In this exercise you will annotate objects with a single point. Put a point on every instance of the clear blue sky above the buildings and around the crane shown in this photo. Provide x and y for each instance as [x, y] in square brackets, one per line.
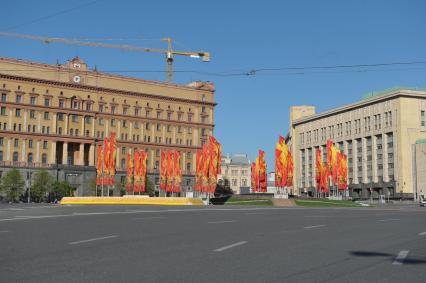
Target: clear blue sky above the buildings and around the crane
[241, 35]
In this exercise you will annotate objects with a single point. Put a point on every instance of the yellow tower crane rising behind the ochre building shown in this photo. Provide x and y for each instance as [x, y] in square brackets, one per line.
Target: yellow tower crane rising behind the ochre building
[205, 56]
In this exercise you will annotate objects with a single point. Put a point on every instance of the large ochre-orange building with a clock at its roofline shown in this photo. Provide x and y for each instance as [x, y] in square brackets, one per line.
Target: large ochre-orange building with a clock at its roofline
[54, 116]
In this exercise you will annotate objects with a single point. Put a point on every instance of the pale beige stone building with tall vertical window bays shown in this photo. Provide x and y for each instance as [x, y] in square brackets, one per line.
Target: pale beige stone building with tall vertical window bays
[380, 134]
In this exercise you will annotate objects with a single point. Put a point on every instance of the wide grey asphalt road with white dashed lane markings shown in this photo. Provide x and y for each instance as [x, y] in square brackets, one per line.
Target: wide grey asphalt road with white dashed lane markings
[43, 243]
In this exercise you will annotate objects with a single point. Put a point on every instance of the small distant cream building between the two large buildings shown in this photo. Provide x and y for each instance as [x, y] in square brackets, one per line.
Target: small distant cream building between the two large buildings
[236, 169]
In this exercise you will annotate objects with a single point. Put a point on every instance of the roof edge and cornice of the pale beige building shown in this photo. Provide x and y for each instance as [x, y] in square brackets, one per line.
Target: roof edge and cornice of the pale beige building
[370, 98]
